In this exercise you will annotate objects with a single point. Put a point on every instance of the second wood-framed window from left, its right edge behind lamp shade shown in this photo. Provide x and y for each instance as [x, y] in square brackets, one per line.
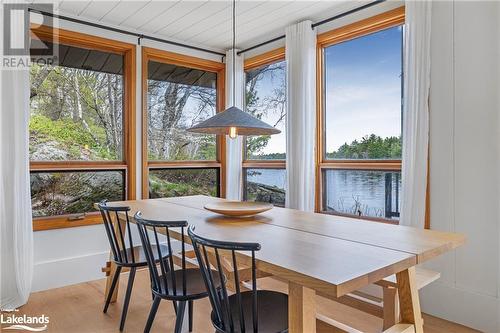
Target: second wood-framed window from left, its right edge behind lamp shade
[180, 91]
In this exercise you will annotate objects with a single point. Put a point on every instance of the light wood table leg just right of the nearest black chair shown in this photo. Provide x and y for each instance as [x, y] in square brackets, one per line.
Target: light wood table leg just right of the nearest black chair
[301, 309]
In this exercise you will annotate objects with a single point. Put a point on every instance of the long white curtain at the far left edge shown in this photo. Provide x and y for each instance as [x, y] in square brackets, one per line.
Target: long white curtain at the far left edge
[16, 232]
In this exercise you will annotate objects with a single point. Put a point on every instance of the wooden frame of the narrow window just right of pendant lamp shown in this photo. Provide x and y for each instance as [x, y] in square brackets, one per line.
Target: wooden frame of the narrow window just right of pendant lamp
[251, 63]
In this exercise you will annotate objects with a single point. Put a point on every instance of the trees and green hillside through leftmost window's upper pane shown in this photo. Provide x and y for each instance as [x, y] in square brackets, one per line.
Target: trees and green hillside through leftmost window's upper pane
[81, 112]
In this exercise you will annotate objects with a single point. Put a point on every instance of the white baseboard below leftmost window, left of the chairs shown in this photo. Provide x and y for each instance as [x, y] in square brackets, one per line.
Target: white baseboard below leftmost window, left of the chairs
[67, 271]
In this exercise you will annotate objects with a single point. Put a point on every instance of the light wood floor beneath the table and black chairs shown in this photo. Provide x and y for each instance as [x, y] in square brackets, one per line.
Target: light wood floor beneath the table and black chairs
[78, 309]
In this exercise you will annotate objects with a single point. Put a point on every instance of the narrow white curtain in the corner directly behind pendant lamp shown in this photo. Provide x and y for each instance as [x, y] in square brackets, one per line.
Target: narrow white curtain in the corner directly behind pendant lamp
[234, 147]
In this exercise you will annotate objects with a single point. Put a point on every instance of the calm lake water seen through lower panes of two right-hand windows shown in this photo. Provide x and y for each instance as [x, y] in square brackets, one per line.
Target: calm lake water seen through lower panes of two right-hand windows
[347, 191]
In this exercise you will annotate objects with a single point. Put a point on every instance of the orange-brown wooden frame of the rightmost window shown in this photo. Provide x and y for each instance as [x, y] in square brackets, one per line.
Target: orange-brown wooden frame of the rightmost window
[361, 28]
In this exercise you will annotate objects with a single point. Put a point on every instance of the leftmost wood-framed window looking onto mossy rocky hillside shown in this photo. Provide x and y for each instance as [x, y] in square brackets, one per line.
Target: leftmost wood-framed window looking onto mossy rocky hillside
[80, 113]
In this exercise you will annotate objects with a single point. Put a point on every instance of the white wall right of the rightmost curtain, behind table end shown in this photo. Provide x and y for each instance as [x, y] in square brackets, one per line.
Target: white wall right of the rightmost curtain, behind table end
[464, 166]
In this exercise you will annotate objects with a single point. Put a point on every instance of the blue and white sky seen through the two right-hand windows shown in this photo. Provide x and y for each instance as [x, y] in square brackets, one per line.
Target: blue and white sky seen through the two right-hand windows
[363, 90]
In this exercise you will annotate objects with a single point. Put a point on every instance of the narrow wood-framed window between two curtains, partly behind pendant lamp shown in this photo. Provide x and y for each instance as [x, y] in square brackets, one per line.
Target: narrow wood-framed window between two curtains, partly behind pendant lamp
[264, 156]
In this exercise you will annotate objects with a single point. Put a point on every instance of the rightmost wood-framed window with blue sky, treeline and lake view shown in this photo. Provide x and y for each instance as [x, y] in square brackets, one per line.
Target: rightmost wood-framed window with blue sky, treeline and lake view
[361, 118]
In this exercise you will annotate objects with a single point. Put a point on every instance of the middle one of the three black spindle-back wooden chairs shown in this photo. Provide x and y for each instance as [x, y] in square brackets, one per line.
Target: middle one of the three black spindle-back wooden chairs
[183, 285]
